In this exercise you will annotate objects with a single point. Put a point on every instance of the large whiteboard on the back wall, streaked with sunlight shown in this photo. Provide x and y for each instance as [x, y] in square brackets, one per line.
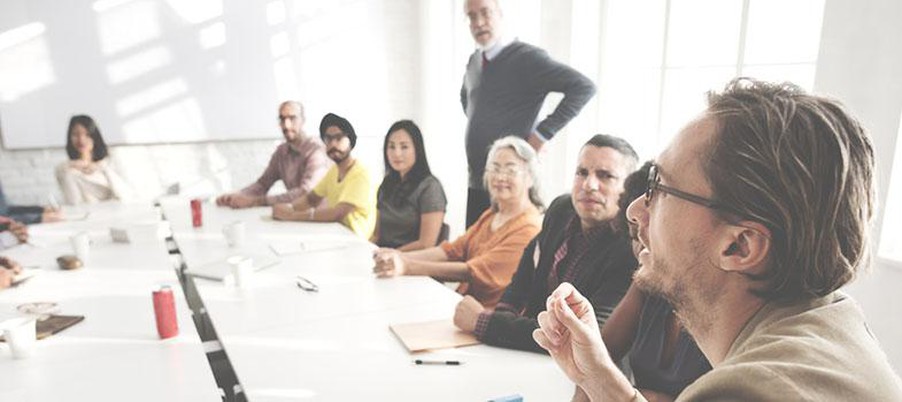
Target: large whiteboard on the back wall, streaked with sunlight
[164, 71]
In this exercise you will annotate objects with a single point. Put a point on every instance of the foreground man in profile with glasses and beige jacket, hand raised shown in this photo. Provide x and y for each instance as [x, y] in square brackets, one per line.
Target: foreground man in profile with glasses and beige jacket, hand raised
[755, 216]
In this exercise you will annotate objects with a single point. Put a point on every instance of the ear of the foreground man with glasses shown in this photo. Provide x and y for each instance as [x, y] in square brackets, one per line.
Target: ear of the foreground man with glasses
[745, 247]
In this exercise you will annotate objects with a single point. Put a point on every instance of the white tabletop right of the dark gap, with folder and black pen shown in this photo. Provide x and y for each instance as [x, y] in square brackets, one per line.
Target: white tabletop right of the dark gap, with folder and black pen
[285, 343]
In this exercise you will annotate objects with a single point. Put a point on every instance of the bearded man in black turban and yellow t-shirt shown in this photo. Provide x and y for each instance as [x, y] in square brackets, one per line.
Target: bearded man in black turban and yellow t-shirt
[345, 188]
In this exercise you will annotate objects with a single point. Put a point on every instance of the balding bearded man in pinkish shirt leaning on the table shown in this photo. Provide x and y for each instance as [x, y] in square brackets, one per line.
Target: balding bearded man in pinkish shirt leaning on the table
[300, 162]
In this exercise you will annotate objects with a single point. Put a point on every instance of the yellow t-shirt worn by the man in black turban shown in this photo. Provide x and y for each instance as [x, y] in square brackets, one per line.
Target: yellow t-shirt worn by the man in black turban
[355, 190]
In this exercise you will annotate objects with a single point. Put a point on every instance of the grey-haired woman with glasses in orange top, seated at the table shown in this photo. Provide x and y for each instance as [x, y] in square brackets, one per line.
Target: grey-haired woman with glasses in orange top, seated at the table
[484, 259]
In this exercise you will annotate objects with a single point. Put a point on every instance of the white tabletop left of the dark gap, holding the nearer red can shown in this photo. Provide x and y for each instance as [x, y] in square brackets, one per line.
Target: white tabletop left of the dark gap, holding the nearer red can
[115, 354]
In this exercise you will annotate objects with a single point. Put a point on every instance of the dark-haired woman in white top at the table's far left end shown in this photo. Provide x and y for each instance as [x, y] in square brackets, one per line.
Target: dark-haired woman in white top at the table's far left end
[88, 177]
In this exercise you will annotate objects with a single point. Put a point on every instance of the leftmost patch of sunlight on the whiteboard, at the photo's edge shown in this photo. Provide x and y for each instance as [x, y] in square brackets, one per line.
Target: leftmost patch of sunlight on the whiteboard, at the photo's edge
[25, 64]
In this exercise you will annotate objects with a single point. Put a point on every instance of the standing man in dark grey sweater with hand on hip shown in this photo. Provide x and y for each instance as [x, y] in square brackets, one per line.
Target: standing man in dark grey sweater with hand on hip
[503, 90]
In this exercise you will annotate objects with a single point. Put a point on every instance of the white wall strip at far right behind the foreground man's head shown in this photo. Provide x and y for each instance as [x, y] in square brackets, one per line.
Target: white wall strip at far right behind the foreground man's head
[860, 63]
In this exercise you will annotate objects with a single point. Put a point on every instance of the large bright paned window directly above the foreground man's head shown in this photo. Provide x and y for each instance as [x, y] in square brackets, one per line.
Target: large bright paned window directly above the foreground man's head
[653, 83]
